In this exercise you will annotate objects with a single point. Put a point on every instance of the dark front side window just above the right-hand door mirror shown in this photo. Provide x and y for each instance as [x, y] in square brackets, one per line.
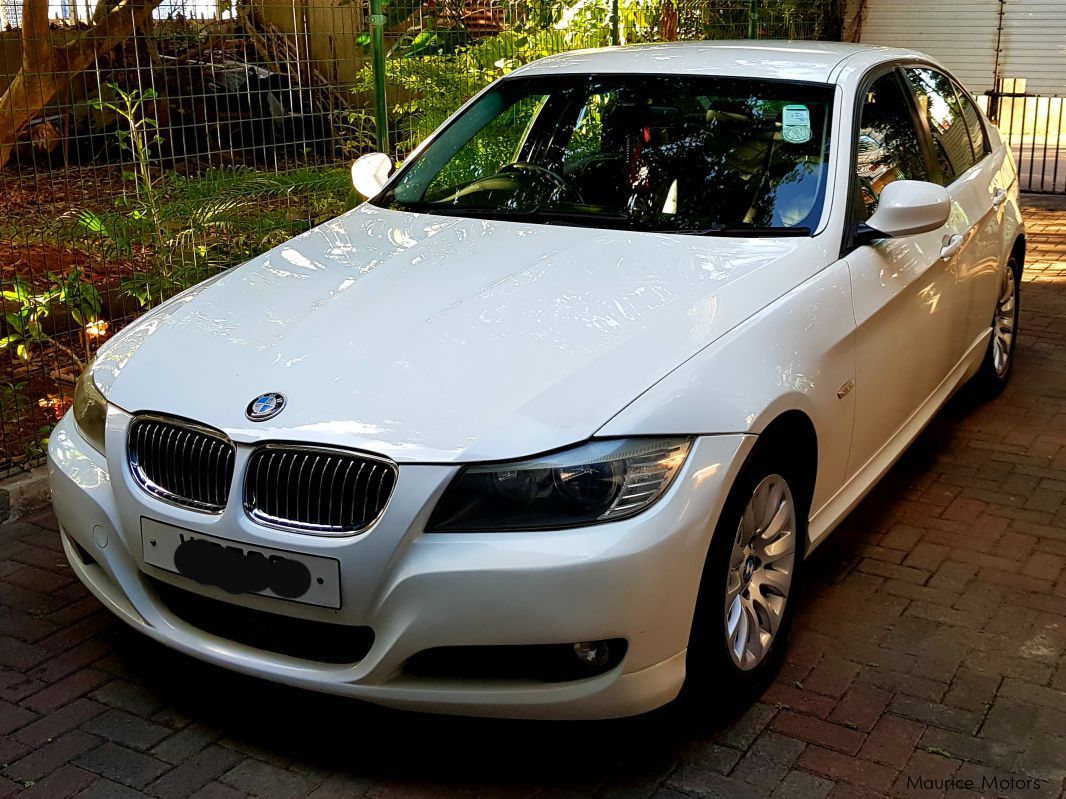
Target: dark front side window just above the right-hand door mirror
[889, 148]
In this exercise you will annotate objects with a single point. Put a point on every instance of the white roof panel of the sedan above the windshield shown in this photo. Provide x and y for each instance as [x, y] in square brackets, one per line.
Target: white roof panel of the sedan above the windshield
[801, 61]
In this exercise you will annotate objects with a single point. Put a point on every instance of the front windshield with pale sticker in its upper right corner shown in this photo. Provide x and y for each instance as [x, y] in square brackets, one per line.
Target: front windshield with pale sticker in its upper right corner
[671, 154]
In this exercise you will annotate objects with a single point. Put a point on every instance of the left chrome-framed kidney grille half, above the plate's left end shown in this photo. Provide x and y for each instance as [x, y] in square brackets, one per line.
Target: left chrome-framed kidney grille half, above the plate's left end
[182, 463]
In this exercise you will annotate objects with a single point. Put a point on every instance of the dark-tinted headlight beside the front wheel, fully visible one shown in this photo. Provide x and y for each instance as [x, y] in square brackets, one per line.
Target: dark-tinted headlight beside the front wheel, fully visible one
[599, 482]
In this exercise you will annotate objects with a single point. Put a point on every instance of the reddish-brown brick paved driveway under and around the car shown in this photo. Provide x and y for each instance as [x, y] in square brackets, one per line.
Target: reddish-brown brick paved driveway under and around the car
[931, 644]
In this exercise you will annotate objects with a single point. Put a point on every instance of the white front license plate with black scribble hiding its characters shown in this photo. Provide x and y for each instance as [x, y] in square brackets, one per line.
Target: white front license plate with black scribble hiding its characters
[240, 568]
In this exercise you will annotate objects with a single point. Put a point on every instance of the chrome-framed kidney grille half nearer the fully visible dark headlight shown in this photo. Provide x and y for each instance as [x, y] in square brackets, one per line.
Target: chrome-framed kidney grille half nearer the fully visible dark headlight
[317, 490]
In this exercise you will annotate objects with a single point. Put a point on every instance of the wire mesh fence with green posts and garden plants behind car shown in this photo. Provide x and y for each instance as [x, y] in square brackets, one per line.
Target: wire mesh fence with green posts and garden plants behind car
[149, 144]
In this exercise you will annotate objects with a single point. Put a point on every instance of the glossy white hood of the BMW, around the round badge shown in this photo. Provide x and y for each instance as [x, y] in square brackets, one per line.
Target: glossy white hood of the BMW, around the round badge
[437, 339]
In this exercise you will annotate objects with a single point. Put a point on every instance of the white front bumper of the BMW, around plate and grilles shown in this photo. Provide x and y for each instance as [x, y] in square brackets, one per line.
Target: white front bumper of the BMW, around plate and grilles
[635, 579]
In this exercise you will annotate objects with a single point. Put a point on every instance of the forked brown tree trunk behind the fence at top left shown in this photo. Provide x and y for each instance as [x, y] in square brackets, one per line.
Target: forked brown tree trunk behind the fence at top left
[47, 70]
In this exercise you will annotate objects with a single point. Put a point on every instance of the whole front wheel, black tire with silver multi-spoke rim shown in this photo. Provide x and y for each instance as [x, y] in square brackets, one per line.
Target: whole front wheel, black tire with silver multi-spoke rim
[720, 673]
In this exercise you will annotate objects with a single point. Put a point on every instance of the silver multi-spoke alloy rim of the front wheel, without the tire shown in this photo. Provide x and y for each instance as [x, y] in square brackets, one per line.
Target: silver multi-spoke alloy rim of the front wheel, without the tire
[762, 566]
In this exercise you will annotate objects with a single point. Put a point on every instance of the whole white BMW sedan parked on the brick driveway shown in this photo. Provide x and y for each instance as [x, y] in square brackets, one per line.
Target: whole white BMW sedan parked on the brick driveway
[547, 428]
